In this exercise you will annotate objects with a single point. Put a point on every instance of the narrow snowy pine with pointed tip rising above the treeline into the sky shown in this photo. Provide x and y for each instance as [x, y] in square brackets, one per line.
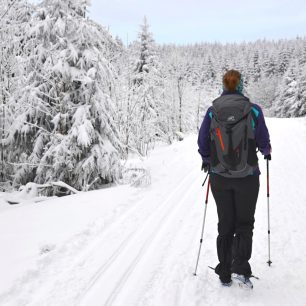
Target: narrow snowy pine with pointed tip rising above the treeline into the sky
[146, 93]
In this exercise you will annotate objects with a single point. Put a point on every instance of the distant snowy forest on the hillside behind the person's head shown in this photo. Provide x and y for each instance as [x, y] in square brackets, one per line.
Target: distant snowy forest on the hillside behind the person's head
[274, 72]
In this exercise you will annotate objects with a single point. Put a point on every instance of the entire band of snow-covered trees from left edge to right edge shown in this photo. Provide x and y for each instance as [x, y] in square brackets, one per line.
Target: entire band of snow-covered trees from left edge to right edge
[76, 102]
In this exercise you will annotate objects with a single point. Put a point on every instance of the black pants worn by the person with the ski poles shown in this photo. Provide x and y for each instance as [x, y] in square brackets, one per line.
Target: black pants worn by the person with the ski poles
[236, 202]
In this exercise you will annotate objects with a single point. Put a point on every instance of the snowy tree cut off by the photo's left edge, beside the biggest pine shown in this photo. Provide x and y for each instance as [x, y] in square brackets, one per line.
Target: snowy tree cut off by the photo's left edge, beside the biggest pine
[14, 24]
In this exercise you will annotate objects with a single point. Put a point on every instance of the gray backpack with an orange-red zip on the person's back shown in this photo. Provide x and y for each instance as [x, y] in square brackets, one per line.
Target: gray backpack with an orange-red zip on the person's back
[232, 134]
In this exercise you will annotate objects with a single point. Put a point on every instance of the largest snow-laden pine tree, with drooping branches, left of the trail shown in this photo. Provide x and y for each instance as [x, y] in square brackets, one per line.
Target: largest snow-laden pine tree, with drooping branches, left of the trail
[67, 130]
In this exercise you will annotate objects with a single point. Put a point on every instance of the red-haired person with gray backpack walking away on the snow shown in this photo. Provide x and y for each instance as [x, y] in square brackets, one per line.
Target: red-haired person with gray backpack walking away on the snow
[232, 163]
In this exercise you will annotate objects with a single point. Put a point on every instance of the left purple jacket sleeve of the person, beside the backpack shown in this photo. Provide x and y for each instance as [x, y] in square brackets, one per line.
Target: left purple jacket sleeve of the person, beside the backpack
[204, 137]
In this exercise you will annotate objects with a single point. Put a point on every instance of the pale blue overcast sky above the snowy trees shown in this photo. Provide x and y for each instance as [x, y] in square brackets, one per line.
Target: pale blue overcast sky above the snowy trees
[190, 21]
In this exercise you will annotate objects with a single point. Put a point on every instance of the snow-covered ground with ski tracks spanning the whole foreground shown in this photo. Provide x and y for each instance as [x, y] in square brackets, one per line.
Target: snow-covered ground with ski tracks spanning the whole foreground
[137, 246]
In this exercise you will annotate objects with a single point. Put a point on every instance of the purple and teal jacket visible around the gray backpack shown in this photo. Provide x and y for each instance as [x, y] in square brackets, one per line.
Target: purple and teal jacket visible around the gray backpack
[261, 133]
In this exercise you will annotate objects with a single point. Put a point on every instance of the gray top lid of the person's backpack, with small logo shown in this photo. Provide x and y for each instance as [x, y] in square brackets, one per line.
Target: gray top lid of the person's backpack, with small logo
[229, 109]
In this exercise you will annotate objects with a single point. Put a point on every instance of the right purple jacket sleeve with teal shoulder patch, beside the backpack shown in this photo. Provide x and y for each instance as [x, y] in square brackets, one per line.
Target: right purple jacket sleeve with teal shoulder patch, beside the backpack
[261, 133]
